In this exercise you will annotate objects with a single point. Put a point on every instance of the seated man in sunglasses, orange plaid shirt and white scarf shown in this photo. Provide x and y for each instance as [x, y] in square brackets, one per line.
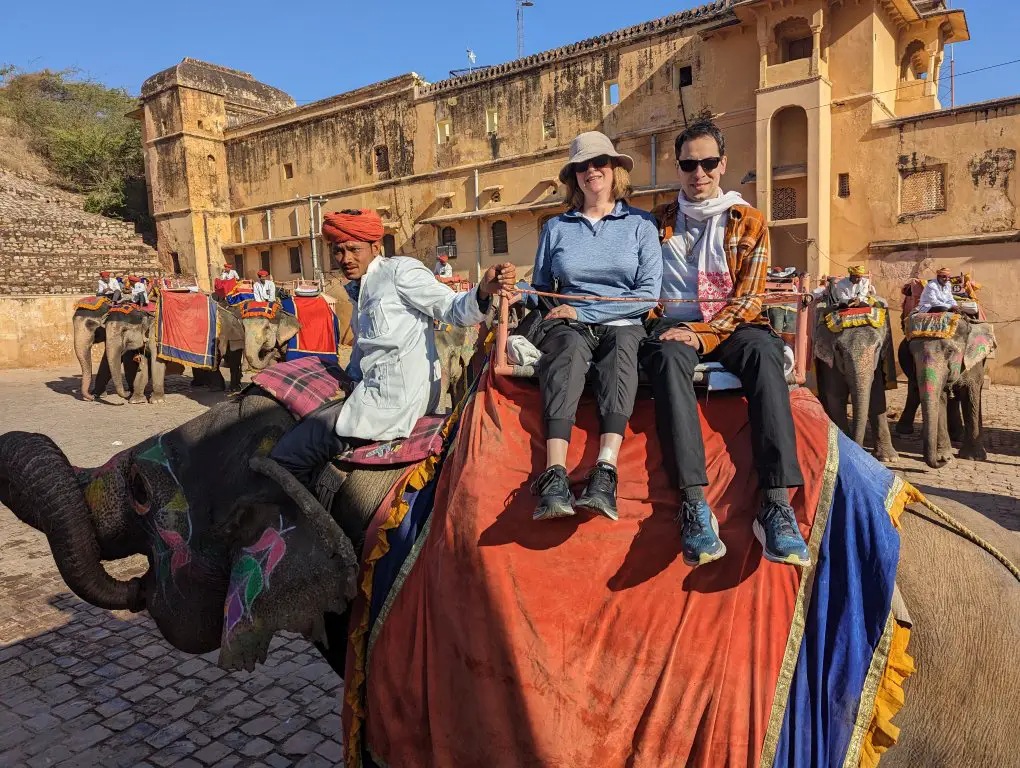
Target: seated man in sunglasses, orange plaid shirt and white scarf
[716, 251]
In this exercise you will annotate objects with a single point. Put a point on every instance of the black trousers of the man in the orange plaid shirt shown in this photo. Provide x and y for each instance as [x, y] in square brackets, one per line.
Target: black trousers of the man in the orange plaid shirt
[755, 356]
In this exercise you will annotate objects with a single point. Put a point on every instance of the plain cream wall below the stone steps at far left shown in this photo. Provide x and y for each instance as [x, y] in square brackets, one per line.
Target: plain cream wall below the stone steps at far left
[36, 332]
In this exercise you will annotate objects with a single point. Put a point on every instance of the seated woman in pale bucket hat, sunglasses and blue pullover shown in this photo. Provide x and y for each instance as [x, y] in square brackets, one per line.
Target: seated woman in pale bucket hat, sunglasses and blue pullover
[600, 247]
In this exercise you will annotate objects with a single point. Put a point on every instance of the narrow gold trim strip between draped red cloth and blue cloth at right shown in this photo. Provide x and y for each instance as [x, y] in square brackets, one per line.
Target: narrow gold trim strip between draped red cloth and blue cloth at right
[782, 697]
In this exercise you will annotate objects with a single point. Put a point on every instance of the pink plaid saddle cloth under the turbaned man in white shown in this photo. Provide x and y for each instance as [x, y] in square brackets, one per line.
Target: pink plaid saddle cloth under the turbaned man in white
[303, 385]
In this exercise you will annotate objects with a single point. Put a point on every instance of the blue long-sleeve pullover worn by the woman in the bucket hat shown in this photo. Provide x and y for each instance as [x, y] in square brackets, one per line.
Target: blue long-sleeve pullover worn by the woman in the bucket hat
[620, 255]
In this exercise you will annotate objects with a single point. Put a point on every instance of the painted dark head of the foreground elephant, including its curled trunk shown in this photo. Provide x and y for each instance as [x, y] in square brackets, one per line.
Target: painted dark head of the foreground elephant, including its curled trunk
[231, 561]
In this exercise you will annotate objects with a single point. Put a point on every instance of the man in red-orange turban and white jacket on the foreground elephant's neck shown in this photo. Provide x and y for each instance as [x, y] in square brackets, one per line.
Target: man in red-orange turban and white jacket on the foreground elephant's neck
[394, 367]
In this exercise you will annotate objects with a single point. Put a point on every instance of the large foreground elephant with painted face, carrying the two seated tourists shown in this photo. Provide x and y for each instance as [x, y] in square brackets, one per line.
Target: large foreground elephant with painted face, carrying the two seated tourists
[218, 533]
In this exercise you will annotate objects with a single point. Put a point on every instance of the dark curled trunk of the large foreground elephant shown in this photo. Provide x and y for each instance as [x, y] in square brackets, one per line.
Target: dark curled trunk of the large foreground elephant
[38, 484]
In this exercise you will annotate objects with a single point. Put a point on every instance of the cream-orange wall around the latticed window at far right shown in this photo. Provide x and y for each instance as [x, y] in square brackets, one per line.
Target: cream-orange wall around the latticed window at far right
[978, 150]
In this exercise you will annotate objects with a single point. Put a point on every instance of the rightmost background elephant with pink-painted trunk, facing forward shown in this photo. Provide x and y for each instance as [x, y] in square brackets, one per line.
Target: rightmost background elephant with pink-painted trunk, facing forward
[947, 377]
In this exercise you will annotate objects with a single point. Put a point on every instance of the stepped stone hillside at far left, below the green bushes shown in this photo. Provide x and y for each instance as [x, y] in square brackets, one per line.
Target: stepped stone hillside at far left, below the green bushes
[50, 245]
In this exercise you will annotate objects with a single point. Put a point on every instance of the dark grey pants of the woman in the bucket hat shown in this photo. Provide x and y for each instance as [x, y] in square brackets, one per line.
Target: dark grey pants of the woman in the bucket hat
[568, 349]
